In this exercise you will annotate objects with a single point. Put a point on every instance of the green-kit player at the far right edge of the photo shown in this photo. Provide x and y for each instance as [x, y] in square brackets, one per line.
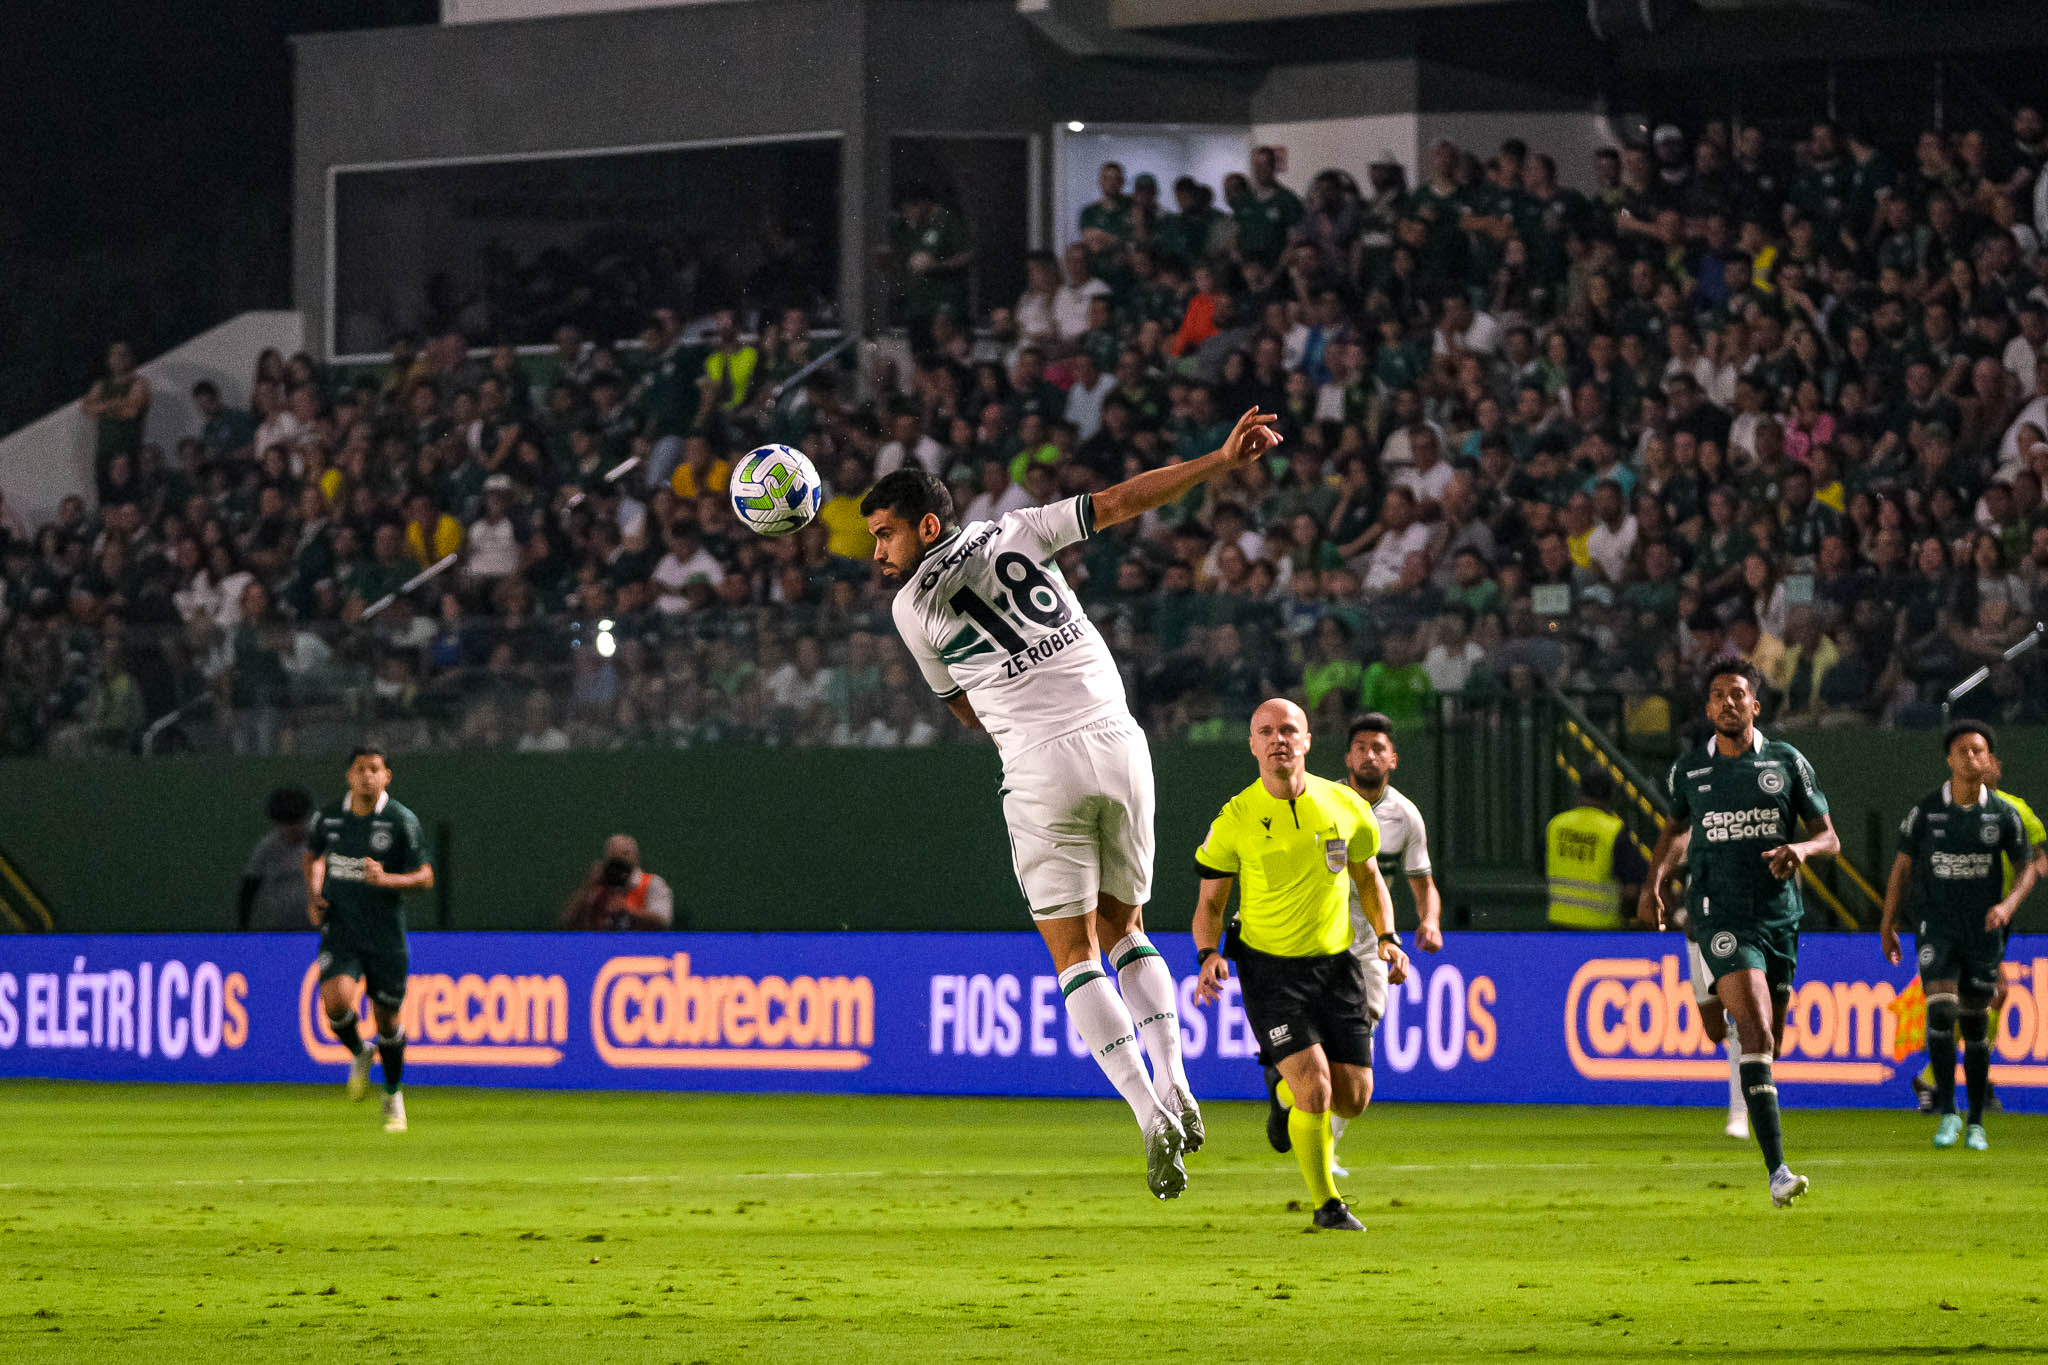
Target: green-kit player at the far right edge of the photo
[1953, 850]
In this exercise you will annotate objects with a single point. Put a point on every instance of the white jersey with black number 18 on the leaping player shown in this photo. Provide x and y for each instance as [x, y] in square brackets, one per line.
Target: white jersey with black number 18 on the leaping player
[988, 613]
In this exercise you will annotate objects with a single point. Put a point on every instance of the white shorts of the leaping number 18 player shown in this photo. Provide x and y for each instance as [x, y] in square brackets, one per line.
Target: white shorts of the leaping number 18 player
[1080, 813]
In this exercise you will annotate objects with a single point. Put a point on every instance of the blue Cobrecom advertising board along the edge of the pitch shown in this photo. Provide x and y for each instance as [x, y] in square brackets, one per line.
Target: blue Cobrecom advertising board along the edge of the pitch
[1533, 1018]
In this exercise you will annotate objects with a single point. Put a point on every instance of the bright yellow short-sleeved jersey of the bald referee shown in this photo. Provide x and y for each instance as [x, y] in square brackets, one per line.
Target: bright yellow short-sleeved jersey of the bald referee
[1291, 863]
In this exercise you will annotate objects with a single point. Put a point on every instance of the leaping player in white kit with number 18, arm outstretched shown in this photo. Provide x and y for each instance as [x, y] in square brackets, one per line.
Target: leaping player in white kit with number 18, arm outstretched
[1005, 642]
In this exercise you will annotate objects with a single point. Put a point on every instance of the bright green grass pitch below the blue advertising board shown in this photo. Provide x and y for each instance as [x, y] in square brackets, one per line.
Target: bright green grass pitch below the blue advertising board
[282, 1225]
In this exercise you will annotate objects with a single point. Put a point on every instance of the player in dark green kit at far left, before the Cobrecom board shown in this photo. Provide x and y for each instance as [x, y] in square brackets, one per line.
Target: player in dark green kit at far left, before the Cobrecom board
[359, 856]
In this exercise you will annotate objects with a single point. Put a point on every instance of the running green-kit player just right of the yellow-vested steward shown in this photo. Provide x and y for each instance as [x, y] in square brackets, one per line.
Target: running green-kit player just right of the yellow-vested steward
[1734, 811]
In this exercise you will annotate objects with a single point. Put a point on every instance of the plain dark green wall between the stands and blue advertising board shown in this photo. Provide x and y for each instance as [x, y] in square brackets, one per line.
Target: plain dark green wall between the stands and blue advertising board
[816, 838]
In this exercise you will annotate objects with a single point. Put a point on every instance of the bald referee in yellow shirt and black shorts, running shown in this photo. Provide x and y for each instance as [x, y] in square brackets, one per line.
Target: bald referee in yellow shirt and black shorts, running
[1293, 838]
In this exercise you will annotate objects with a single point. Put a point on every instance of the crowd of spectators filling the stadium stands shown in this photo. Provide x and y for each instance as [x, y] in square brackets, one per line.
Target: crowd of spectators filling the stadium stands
[1742, 398]
